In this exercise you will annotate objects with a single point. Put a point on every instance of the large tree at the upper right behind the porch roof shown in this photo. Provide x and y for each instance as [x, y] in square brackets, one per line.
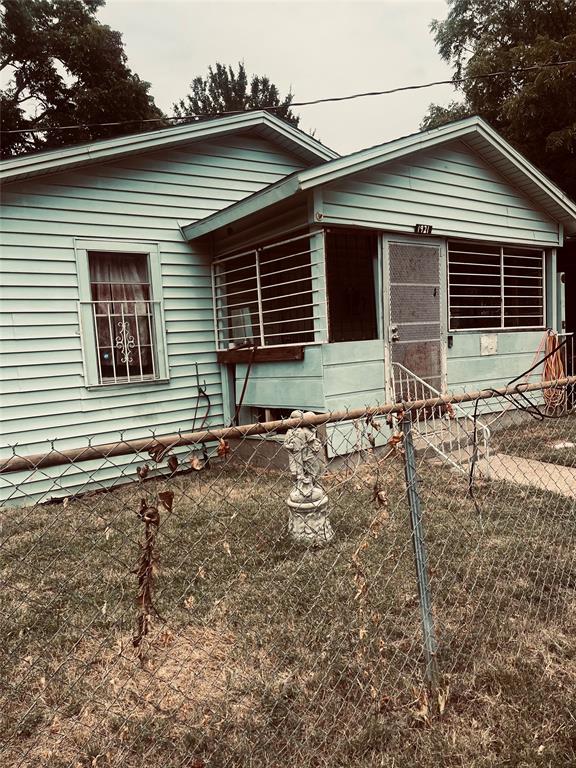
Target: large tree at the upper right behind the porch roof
[536, 109]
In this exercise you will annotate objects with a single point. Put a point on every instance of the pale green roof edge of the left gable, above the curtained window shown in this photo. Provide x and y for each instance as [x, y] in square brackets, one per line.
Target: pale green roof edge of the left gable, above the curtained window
[262, 123]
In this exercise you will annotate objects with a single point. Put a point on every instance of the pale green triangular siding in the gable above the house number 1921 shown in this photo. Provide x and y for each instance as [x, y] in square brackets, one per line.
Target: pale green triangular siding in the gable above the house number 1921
[448, 187]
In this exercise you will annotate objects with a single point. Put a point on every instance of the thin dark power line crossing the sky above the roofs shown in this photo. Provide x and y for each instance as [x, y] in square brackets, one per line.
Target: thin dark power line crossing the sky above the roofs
[328, 99]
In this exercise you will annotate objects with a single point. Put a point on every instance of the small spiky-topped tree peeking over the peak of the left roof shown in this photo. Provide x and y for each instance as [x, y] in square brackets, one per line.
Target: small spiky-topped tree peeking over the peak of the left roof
[225, 90]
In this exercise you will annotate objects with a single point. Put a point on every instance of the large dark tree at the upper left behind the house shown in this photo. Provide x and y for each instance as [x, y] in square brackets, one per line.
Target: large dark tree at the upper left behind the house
[63, 67]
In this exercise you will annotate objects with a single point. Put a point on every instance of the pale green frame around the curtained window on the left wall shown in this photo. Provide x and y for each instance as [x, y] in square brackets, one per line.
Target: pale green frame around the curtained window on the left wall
[82, 248]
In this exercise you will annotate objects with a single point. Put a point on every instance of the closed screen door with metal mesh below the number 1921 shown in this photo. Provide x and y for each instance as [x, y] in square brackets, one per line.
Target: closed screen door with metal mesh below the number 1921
[415, 305]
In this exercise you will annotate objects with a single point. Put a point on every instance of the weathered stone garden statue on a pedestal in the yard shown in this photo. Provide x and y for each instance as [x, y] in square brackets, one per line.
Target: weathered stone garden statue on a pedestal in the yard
[308, 521]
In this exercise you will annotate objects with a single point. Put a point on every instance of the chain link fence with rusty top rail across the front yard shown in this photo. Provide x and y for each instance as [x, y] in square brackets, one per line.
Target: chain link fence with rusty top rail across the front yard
[158, 609]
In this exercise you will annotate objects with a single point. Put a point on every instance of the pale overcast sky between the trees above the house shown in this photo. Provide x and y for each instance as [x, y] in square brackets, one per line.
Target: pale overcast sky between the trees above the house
[317, 48]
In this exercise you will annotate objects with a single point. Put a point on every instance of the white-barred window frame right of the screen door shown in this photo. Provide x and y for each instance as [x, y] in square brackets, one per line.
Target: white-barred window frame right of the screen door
[501, 326]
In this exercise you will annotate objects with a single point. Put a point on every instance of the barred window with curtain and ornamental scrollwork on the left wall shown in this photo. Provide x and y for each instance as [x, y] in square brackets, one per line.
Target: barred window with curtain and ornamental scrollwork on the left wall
[123, 316]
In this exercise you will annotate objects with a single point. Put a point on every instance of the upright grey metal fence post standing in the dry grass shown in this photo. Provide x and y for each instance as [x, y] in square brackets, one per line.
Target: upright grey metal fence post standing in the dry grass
[420, 555]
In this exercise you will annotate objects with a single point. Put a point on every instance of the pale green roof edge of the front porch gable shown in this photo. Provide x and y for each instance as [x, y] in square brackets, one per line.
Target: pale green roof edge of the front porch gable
[473, 131]
